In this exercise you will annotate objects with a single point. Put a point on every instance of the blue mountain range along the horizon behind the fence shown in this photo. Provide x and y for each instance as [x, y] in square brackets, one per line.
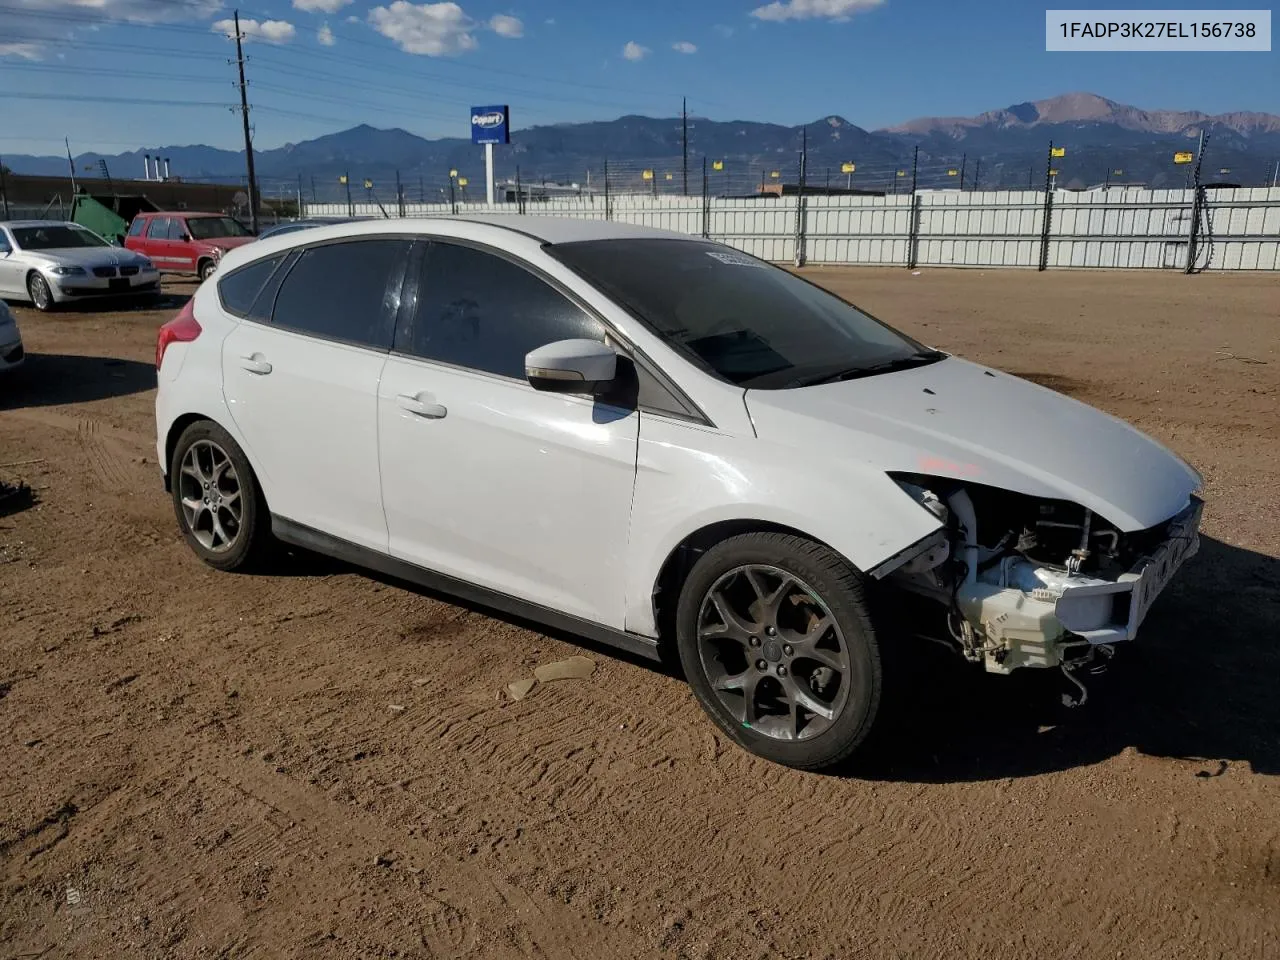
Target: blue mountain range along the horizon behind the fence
[1101, 138]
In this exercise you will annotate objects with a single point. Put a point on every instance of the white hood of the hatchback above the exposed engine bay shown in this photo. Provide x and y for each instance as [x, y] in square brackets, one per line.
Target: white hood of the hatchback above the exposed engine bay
[959, 420]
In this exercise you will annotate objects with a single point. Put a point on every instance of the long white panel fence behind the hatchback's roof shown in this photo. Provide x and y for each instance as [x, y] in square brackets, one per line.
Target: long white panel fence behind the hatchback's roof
[1117, 228]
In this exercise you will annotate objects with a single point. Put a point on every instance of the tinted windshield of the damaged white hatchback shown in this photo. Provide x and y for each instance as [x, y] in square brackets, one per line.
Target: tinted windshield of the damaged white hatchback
[739, 318]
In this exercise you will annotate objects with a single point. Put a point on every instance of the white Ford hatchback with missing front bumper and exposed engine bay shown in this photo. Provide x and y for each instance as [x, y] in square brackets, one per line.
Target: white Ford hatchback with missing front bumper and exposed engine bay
[659, 442]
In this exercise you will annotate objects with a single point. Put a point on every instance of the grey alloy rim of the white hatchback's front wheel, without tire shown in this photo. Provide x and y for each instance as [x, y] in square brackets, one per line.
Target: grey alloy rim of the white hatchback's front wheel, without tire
[774, 653]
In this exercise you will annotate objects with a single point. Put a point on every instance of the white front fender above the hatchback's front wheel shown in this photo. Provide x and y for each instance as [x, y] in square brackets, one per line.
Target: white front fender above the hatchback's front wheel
[689, 477]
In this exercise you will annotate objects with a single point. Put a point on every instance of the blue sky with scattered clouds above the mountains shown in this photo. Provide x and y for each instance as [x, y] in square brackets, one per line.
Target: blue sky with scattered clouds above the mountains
[321, 66]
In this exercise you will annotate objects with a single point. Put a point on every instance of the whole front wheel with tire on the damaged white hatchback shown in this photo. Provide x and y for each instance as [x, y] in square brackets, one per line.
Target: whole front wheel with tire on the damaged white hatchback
[779, 647]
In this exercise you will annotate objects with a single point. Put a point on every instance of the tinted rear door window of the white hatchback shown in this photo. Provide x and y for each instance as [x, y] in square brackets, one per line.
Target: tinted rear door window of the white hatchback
[340, 291]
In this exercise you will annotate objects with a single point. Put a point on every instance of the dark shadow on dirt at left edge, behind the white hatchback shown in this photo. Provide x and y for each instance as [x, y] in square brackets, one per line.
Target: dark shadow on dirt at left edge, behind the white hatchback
[51, 380]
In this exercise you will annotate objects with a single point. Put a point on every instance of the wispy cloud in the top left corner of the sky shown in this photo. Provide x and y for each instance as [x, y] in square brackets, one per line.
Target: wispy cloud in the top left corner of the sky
[39, 30]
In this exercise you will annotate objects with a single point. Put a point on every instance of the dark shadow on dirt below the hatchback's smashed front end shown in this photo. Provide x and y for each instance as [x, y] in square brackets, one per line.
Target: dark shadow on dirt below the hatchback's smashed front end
[1200, 684]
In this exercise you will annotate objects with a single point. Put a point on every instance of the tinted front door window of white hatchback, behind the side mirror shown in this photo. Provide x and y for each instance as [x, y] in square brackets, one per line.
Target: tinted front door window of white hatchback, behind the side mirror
[484, 313]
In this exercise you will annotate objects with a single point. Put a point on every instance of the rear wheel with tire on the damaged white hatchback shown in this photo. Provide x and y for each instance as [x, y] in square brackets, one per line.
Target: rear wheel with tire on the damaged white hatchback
[217, 500]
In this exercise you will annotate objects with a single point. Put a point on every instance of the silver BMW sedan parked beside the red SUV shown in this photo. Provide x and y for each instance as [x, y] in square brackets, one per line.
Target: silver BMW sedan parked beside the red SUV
[52, 262]
